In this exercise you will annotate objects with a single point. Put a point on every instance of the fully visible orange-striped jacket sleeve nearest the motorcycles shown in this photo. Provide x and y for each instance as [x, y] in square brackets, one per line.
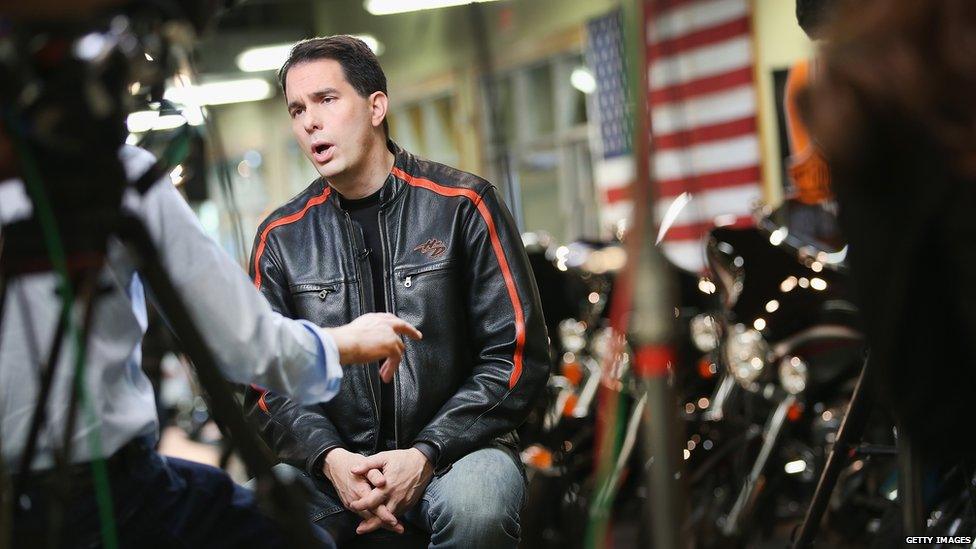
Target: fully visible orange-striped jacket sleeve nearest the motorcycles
[509, 338]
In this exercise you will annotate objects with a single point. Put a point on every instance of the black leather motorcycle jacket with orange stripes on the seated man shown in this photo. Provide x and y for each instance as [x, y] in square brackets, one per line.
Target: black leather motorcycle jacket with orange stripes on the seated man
[455, 268]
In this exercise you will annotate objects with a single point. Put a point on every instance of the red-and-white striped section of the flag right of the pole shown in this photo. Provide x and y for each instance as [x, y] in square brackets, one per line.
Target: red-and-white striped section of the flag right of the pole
[704, 129]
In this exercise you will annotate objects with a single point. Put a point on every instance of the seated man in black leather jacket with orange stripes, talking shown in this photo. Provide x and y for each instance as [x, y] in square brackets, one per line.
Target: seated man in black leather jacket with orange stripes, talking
[382, 230]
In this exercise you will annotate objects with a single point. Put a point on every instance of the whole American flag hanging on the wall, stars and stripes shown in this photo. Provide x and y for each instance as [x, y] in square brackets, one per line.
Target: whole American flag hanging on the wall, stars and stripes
[702, 102]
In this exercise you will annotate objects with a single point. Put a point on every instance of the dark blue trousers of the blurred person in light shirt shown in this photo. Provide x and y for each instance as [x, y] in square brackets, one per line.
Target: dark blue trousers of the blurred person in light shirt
[158, 502]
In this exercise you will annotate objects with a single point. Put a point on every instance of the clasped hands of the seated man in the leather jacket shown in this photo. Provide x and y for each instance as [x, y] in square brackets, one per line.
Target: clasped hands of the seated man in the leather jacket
[378, 488]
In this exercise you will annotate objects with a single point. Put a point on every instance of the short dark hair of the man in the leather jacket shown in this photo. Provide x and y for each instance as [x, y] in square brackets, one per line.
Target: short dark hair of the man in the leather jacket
[359, 64]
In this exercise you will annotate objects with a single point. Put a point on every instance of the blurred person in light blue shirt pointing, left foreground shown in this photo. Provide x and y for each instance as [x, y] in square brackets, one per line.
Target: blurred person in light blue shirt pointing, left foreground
[157, 501]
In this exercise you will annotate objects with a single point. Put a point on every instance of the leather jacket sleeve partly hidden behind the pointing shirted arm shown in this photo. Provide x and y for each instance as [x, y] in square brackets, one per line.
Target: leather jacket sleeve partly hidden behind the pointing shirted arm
[298, 435]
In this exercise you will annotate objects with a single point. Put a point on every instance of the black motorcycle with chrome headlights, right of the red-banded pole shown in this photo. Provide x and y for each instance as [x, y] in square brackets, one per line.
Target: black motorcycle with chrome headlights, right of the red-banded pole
[787, 342]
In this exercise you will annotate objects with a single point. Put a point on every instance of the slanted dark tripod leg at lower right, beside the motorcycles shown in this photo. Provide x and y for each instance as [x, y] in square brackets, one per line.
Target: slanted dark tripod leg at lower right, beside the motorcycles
[848, 436]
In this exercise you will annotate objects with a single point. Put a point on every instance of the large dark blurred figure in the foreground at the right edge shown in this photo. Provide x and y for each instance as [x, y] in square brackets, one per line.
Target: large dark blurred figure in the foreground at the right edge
[895, 112]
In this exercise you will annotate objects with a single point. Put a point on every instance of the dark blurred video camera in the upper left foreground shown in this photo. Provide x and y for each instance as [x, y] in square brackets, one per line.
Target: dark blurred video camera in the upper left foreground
[67, 84]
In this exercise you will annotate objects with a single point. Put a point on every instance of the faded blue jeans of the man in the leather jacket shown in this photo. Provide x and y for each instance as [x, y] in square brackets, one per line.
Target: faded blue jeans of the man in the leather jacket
[474, 504]
